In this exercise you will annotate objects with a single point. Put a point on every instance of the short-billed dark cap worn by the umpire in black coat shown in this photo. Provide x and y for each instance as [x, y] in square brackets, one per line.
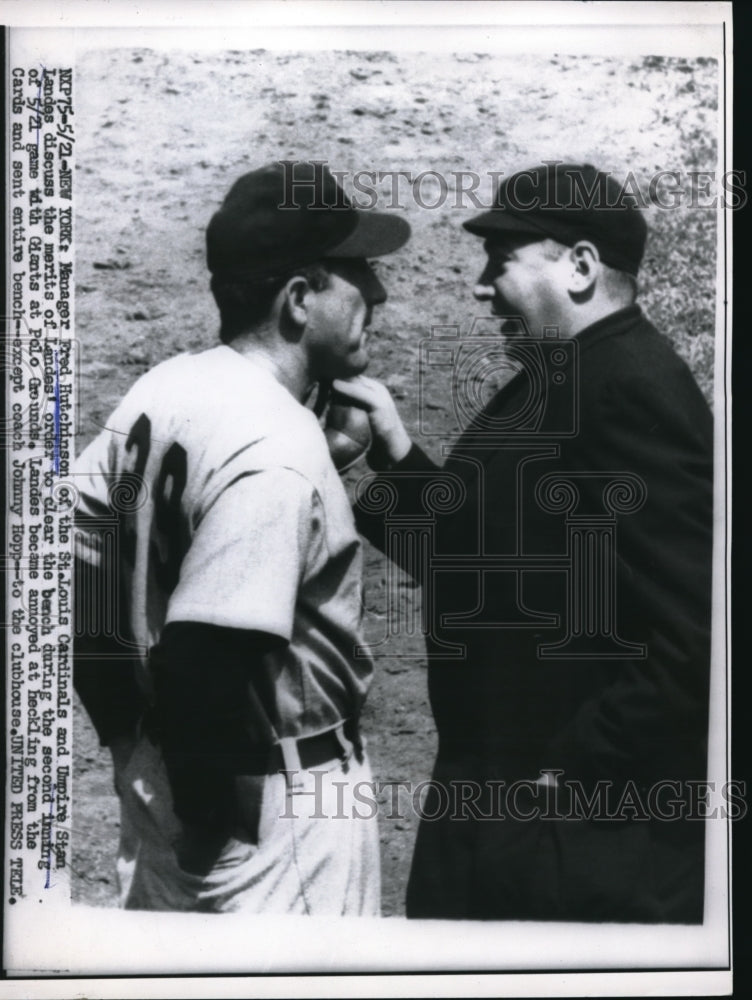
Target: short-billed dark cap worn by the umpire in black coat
[569, 202]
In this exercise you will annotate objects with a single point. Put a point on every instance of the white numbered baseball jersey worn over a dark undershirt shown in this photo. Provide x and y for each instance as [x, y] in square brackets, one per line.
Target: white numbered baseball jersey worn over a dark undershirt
[228, 511]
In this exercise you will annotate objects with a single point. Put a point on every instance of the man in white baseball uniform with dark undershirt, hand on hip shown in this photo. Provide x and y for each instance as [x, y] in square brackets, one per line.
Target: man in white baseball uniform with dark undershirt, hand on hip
[212, 519]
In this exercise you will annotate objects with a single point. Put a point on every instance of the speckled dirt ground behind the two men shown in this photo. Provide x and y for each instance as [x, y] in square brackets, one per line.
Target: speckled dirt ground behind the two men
[160, 138]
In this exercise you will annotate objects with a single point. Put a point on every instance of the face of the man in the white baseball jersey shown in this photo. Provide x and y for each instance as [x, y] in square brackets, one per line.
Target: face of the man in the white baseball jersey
[337, 318]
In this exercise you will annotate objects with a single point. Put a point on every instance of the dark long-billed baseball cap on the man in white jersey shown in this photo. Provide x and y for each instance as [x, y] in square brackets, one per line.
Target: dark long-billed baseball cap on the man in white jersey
[292, 213]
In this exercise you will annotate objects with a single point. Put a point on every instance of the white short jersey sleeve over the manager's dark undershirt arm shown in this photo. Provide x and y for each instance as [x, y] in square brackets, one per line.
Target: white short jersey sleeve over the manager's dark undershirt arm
[248, 554]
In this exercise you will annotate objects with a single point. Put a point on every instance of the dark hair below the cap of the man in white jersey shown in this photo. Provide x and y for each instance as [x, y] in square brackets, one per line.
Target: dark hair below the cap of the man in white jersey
[243, 303]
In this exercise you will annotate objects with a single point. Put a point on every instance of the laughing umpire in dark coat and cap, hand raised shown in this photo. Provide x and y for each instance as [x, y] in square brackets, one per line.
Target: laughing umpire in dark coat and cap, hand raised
[567, 591]
